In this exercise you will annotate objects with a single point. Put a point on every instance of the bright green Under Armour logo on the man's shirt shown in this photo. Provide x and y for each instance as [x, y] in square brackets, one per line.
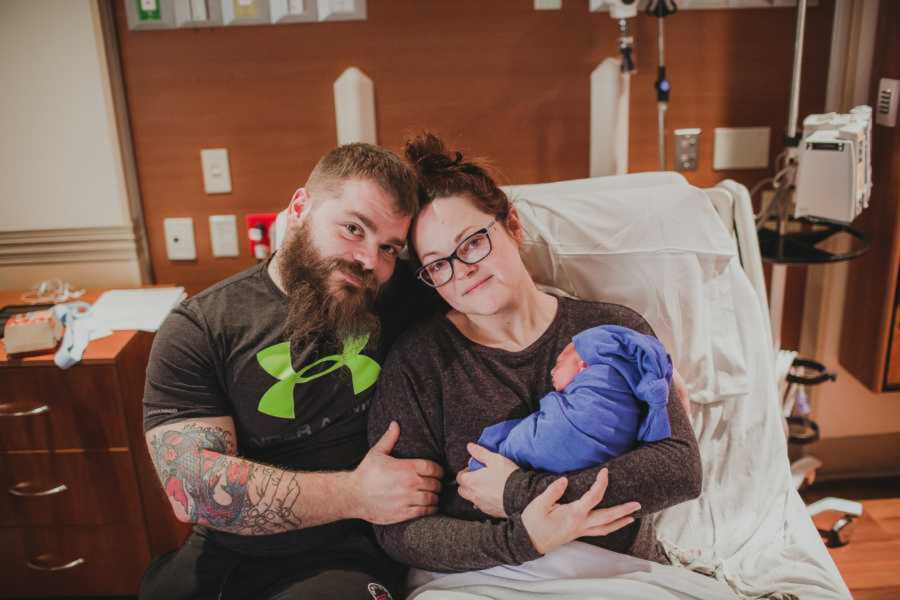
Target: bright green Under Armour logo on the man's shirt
[278, 401]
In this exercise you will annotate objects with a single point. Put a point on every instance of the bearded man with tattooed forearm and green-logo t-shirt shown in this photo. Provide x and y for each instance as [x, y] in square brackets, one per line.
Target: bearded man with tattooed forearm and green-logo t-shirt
[256, 398]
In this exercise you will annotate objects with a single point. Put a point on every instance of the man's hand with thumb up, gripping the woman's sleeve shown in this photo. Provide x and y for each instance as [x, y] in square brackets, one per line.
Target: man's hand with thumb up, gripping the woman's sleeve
[389, 490]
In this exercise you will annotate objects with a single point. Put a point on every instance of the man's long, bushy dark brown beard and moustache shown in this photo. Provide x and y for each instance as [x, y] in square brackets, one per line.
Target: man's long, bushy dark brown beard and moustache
[316, 312]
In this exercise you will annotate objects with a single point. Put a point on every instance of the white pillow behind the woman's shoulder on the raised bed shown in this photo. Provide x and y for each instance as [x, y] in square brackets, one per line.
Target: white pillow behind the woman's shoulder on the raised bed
[651, 242]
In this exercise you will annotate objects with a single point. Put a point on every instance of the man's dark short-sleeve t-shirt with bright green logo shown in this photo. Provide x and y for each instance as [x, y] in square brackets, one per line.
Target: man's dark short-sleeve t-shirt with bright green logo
[224, 352]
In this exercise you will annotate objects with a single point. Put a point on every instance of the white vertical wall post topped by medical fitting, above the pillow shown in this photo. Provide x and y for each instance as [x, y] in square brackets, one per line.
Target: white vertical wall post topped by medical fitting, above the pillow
[610, 94]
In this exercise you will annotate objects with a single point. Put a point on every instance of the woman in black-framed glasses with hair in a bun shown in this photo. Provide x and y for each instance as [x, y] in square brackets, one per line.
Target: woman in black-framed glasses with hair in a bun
[487, 359]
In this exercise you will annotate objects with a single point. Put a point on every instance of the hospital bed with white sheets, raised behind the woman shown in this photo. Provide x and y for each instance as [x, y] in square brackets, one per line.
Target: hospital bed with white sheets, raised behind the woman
[688, 260]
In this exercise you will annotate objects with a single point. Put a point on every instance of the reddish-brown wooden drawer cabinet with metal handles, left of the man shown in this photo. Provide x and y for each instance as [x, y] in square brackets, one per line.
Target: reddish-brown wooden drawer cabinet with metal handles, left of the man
[81, 510]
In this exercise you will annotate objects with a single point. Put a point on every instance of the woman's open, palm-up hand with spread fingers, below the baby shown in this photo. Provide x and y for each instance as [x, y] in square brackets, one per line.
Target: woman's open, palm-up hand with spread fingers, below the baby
[550, 524]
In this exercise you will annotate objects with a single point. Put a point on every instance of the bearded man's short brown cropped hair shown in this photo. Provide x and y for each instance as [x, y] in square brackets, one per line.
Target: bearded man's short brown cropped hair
[368, 162]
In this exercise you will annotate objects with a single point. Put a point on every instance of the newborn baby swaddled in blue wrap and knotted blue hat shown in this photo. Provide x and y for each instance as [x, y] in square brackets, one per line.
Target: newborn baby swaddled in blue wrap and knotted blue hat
[612, 387]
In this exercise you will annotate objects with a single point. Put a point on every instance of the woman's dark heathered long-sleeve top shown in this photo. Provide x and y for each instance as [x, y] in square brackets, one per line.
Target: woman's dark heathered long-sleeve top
[443, 389]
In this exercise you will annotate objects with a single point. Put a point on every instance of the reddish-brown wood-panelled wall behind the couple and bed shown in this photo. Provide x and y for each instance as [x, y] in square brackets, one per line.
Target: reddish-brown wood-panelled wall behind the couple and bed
[497, 78]
